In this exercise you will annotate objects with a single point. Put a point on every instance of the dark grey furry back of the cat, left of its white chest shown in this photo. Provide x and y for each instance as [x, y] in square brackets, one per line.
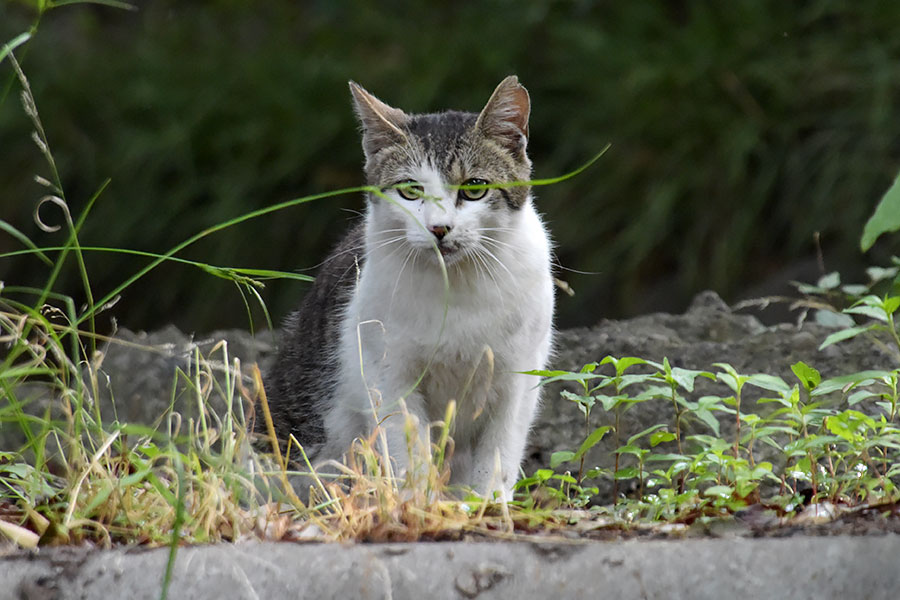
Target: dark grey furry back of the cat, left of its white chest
[301, 380]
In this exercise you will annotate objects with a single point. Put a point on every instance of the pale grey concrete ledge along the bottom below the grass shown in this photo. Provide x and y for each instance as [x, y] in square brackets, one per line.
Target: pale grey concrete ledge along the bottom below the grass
[797, 567]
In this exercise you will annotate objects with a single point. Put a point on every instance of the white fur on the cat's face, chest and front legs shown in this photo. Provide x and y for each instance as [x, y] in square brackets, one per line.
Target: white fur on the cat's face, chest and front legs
[497, 307]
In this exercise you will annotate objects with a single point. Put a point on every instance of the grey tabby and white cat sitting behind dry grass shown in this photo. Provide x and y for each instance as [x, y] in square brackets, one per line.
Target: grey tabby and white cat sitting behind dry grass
[386, 326]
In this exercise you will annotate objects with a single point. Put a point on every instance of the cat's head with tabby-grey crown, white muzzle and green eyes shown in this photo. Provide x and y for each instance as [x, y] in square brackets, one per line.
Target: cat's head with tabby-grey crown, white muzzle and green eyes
[429, 156]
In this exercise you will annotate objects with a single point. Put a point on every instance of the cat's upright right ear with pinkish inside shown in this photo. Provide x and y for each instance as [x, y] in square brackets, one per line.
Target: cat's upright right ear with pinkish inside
[505, 116]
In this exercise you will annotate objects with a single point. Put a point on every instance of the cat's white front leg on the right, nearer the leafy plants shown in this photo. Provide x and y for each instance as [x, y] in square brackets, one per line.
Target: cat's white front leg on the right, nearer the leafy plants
[499, 450]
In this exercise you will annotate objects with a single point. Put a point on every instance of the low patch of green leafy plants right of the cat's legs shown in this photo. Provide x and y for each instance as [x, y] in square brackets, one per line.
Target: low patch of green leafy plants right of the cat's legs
[841, 453]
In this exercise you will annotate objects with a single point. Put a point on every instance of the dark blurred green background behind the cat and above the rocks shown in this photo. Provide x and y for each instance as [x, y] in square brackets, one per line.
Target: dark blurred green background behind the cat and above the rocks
[739, 129]
